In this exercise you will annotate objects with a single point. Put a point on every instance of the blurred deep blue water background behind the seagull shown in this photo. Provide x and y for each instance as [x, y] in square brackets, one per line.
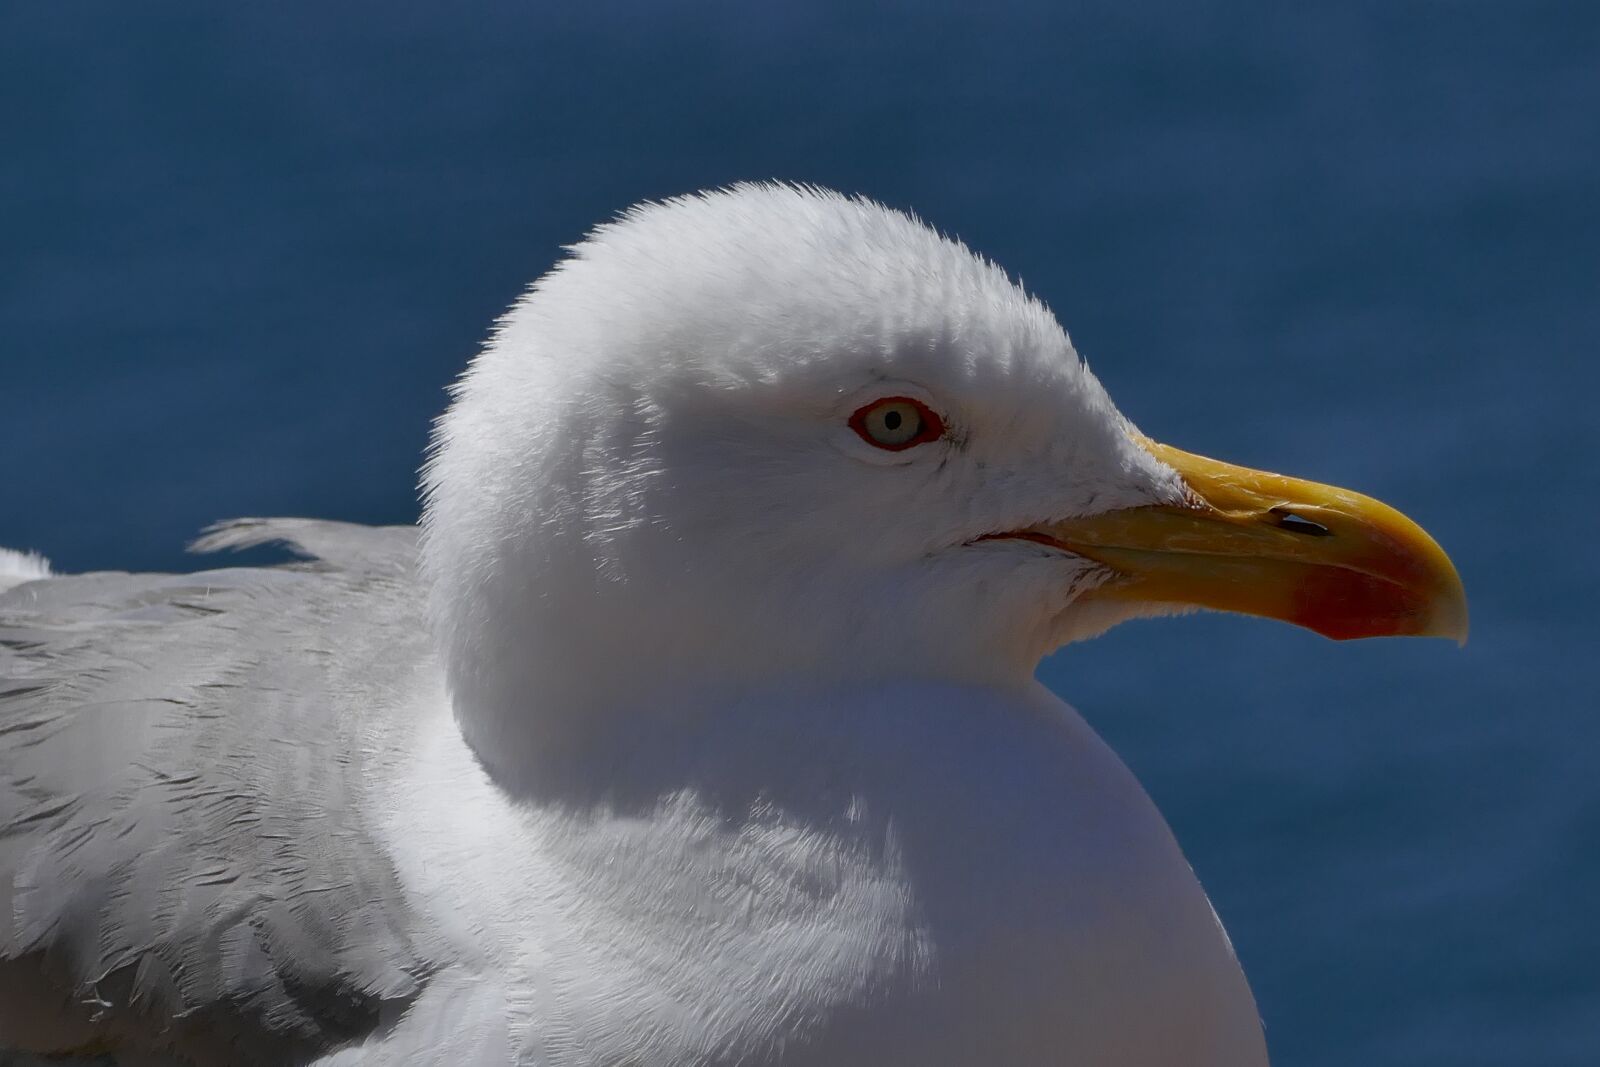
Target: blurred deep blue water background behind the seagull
[244, 249]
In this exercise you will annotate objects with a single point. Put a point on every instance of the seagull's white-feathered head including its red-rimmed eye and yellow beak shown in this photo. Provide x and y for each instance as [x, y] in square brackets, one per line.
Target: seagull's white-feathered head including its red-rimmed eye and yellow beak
[775, 436]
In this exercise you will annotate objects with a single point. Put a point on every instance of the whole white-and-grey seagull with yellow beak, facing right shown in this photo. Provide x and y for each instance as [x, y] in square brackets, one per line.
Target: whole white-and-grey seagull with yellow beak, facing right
[695, 724]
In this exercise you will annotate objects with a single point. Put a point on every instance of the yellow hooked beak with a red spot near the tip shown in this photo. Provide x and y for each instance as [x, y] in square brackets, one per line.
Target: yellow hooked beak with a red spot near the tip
[1327, 559]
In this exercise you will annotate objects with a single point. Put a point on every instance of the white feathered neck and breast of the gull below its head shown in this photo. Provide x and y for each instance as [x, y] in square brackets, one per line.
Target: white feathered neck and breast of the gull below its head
[841, 877]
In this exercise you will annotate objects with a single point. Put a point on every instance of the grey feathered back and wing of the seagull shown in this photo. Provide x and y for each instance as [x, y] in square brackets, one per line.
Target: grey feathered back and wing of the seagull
[188, 865]
